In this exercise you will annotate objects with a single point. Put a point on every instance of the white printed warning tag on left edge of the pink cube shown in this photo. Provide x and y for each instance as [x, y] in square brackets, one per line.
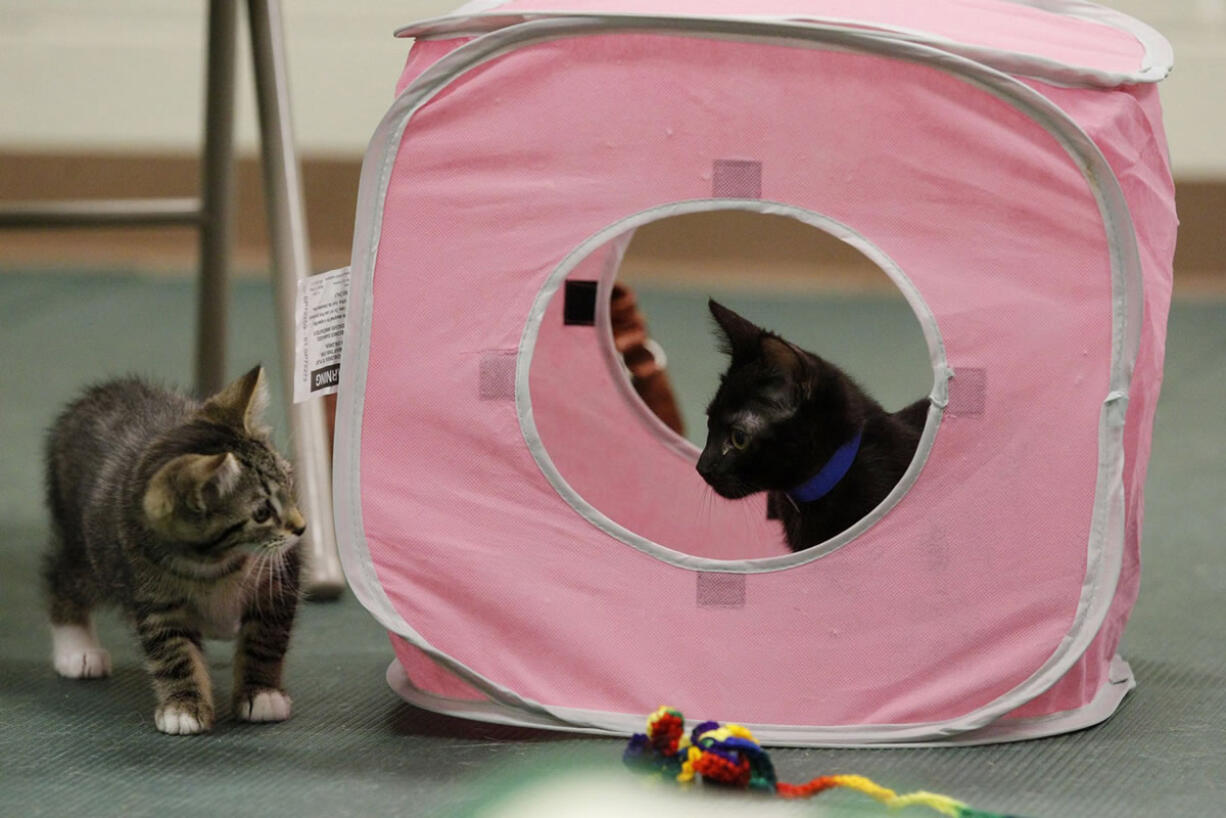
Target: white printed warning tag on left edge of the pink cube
[319, 332]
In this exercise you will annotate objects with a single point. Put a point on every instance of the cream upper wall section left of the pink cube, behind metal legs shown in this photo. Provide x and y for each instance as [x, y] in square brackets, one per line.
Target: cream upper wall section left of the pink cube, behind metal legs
[127, 75]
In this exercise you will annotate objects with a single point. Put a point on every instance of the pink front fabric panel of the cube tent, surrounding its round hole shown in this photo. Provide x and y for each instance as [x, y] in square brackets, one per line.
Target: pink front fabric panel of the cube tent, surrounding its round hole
[951, 602]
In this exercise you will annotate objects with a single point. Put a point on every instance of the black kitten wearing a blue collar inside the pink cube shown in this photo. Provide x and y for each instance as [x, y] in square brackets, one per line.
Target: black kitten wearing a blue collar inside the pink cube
[795, 426]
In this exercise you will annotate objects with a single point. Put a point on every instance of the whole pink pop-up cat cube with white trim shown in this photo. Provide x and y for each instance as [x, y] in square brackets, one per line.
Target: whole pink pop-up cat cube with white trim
[541, 549]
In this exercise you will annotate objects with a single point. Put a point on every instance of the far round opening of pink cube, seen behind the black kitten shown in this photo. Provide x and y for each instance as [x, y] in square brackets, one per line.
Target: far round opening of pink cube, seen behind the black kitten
[805, 285]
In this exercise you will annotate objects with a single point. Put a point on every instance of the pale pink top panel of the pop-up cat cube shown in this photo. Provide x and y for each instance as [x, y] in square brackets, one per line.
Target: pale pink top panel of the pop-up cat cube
[990, 24]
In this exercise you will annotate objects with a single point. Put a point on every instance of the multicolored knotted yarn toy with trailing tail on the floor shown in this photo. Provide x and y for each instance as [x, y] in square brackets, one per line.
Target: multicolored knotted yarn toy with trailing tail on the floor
[730, 756]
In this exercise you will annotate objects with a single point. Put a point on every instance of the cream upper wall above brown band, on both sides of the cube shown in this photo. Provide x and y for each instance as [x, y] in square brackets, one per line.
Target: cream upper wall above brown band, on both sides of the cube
[126, 75]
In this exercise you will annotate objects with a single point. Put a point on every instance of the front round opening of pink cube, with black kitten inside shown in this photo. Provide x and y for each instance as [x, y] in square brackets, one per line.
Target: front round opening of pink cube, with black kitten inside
[631, 356]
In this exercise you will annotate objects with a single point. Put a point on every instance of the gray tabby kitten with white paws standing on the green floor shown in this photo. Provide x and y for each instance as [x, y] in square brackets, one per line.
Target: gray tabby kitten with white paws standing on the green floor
[183, 516]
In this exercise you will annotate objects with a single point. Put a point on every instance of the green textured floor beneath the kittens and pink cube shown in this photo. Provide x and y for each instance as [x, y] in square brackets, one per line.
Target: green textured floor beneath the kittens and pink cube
[352, 749]
